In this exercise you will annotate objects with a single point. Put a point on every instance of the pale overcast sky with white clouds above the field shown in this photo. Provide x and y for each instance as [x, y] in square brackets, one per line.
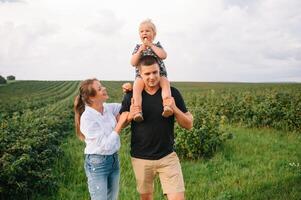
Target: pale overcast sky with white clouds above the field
[206, 40]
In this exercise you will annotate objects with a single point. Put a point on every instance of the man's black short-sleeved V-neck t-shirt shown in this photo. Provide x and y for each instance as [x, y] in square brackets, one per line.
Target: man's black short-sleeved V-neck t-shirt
[153, 138]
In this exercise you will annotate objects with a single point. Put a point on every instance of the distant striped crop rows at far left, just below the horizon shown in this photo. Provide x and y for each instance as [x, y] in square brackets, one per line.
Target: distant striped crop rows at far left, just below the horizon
[24, 95]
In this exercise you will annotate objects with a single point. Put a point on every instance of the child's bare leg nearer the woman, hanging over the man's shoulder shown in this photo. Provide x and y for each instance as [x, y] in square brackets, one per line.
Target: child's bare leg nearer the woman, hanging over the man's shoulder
[137, 91]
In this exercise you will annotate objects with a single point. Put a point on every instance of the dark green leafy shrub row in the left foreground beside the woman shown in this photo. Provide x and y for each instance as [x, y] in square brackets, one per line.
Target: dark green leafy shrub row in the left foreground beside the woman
[29, 145]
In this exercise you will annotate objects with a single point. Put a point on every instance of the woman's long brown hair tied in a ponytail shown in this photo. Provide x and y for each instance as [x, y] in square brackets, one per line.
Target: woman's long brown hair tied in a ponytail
[83, 98]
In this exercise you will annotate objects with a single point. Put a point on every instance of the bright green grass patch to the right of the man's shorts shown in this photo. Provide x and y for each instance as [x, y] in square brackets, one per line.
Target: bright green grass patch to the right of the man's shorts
[254, 165]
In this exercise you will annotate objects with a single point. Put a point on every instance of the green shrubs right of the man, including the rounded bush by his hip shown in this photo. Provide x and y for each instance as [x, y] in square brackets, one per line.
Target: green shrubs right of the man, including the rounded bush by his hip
[276, 106]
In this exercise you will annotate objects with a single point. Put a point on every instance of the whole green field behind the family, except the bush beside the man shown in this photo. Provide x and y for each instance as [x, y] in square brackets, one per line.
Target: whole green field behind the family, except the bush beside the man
[261, 161]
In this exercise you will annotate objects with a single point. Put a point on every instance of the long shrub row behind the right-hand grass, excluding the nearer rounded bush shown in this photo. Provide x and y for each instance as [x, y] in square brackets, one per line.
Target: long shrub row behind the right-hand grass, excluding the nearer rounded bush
[265, 108]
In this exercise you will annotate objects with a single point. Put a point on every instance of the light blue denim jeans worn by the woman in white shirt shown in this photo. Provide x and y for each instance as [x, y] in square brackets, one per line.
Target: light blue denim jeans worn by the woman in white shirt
[103, 176]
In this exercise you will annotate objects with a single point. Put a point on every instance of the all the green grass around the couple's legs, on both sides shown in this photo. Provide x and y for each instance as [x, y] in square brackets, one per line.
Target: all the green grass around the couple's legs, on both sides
[255, 164]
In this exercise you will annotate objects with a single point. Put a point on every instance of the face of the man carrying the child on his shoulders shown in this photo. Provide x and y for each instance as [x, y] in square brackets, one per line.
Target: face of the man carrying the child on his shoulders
[150, 75]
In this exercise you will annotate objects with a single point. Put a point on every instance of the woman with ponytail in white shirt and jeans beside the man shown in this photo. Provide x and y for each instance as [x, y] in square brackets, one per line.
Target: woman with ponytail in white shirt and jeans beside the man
[96, 124]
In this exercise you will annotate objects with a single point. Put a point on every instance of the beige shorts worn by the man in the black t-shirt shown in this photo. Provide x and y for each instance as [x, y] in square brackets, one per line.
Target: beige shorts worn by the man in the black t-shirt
[169, 170]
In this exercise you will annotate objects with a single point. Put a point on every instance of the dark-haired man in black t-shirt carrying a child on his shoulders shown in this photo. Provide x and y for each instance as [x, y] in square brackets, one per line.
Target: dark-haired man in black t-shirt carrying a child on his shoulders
[152, 140]
